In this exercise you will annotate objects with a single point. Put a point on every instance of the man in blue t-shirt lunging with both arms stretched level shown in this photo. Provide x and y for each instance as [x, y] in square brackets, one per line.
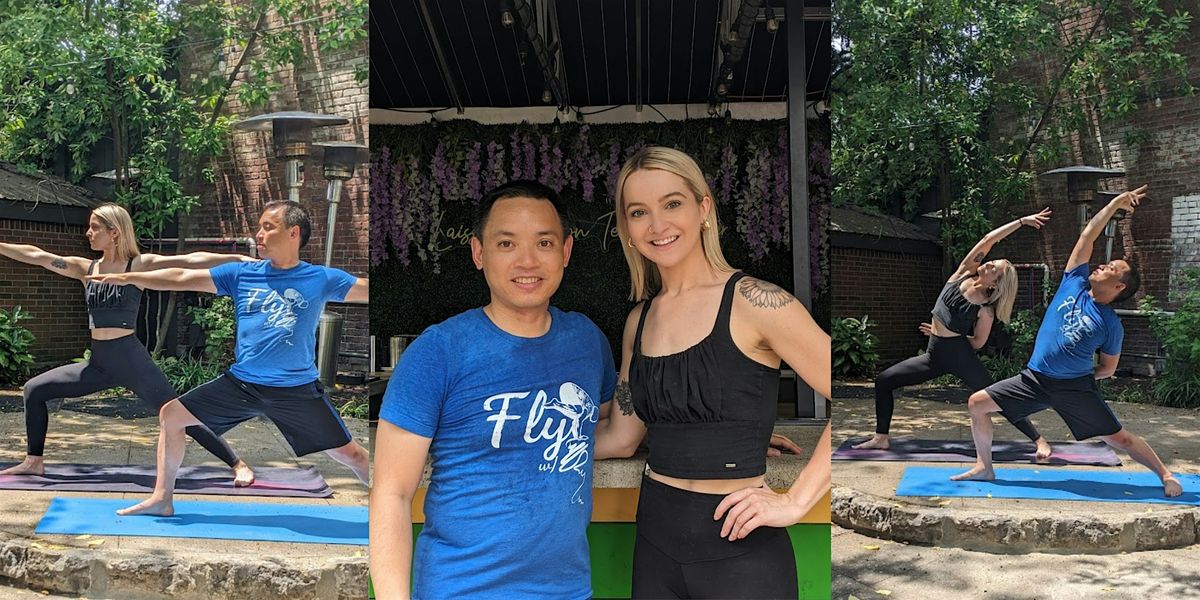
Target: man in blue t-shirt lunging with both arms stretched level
[278, 303]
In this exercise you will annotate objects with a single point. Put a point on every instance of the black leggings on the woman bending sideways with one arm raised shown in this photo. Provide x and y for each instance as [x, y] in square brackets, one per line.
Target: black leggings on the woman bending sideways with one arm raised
[944, 356]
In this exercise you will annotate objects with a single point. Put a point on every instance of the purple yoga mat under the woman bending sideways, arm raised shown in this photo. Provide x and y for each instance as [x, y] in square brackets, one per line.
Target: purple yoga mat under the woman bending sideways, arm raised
[944, 451]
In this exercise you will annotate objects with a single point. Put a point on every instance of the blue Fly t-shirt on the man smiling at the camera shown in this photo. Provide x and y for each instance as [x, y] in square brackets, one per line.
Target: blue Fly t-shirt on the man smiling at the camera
[513, 428]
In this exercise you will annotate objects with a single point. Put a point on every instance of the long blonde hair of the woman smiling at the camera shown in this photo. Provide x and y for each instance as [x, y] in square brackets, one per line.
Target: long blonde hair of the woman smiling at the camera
[644, 274]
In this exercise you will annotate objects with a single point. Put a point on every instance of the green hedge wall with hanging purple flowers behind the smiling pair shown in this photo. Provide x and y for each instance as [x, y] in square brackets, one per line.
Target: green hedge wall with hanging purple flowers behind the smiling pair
[407, 298]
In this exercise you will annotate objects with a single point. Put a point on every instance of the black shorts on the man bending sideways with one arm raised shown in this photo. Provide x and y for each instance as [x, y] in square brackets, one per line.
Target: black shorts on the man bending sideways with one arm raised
[1078, 401]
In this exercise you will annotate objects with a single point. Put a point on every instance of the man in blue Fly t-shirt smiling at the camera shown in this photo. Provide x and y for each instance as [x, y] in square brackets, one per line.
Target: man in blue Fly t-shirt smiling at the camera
[506, 400]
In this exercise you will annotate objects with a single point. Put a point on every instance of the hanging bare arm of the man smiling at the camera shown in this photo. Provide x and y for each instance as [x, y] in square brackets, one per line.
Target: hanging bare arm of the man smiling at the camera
[400, 460]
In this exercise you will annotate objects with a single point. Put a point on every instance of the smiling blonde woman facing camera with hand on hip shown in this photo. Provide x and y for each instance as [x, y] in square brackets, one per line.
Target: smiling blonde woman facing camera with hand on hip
[705, 519]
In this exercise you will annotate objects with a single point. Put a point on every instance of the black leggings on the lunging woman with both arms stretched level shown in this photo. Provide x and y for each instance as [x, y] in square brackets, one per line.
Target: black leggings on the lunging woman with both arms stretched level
[115, 363]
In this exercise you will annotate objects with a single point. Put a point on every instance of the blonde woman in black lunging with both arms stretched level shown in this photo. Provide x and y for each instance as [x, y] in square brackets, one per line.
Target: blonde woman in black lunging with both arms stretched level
[118, 358]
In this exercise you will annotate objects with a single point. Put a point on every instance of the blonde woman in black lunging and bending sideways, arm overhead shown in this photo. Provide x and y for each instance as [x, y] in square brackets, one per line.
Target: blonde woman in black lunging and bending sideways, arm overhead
[973, 299]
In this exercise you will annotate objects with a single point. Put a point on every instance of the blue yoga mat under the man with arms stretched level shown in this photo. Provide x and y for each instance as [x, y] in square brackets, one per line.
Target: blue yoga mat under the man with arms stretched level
[309, 524]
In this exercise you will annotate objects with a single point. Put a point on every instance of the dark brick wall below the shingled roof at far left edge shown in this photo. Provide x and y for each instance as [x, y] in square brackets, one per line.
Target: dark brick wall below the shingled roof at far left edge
[59, 314]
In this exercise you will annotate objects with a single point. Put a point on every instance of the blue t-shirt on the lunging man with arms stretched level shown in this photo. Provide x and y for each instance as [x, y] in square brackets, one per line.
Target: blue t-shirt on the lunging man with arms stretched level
[278, 311]
